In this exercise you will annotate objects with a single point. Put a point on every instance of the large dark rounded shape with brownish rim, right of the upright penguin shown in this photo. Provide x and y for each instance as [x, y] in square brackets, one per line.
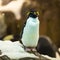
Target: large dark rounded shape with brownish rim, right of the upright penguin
[46, 47]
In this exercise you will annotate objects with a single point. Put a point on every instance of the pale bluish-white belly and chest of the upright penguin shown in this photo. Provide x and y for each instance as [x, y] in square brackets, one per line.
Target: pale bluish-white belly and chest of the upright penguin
[31, 33]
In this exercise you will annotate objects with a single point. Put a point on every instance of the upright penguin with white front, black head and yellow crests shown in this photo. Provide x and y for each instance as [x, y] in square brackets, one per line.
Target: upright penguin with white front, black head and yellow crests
[30, 32]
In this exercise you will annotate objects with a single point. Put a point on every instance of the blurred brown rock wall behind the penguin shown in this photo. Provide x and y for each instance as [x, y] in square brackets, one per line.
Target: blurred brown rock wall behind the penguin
[49, 16]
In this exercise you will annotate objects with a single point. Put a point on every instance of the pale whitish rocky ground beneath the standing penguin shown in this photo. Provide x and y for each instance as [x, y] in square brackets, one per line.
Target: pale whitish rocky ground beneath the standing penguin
[14, 51]
